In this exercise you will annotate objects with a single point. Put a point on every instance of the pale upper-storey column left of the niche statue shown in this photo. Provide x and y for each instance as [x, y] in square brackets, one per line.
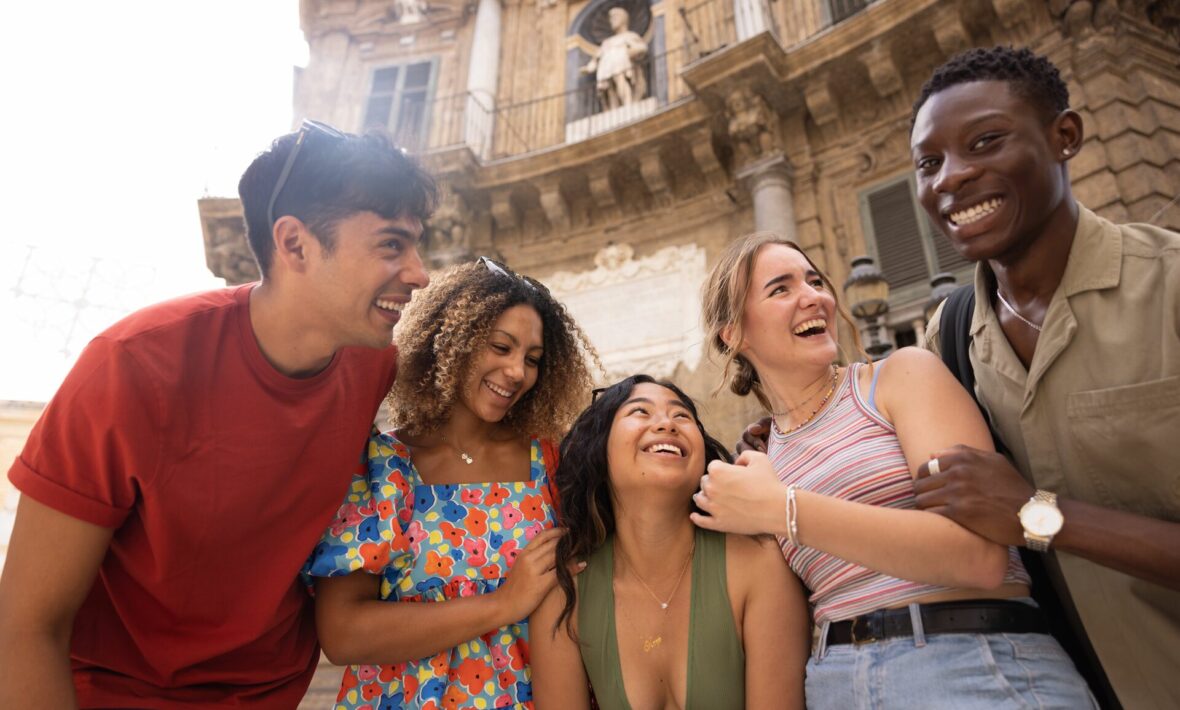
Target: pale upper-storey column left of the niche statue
[483, 75]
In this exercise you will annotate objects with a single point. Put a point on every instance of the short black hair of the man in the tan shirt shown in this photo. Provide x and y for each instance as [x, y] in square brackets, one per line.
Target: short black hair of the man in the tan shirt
[1031, 76]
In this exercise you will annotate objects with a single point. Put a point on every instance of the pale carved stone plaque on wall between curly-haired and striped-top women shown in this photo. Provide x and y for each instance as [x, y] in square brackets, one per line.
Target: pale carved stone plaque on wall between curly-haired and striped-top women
[643, 314]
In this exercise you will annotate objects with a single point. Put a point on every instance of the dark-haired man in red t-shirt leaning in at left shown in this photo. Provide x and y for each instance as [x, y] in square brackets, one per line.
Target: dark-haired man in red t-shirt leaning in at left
[192, 459]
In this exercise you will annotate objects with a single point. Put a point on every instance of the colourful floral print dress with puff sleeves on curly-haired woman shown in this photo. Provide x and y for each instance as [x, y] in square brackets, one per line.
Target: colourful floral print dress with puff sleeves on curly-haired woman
[432, 543]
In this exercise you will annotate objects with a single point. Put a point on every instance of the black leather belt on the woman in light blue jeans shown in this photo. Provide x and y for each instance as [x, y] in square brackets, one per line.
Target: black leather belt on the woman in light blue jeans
[942, 617]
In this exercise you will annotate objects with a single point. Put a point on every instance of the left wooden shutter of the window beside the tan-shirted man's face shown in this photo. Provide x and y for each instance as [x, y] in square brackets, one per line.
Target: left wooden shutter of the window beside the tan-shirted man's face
[901, 254]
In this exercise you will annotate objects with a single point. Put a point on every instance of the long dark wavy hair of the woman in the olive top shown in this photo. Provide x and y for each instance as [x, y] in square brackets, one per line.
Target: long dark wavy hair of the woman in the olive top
[584, 481]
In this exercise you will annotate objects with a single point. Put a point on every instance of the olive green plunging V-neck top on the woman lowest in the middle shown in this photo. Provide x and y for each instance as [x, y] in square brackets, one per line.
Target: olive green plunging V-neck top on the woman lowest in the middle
[717, 663]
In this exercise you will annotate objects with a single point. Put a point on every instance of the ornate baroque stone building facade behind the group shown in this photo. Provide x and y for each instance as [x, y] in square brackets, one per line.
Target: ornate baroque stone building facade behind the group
[789, 115]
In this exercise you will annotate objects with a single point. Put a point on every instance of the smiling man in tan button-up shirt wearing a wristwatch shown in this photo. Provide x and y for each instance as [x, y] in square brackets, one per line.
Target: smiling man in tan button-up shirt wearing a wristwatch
[1076, 347]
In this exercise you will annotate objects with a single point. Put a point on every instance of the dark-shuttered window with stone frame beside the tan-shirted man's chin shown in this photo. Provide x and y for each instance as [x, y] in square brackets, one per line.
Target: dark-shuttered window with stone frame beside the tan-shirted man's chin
[900, 236]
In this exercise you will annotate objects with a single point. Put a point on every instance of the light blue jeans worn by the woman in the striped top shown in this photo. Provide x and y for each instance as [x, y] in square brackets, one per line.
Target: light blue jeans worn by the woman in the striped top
[948, 672]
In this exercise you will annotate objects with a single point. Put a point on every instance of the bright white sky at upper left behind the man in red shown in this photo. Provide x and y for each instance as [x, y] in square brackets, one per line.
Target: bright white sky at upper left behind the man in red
[119, 117]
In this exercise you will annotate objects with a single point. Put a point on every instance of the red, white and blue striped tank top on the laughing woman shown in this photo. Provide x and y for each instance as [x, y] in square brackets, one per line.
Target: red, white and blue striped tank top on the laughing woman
[853, 453]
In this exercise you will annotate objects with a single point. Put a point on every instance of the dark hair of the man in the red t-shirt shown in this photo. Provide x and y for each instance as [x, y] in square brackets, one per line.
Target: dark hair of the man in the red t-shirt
[332, 180]
